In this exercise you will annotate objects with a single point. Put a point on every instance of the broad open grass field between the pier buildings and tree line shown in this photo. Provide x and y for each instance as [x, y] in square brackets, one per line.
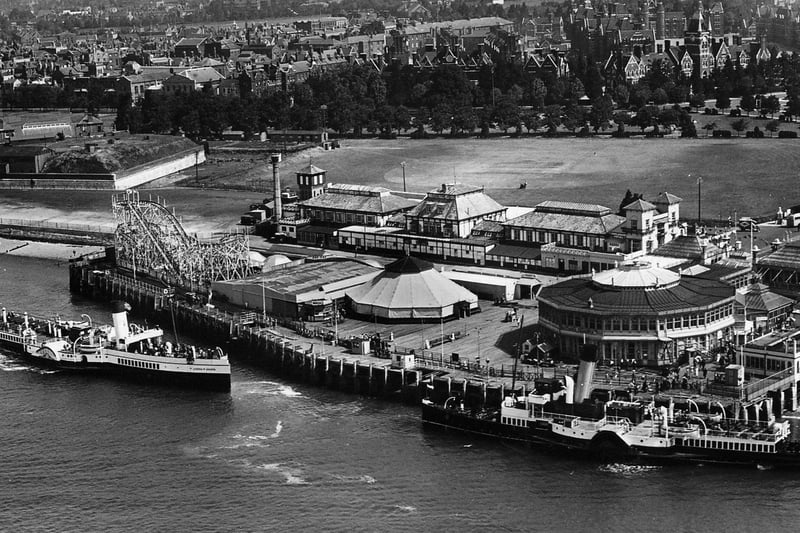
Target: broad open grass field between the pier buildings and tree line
[751, 176]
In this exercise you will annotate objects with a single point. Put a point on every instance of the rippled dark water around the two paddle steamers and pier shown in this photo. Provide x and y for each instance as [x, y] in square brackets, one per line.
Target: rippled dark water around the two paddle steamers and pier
[84, 453]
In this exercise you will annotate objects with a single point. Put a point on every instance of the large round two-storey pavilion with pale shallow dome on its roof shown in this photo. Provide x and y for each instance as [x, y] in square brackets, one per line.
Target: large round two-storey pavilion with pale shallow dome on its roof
[638, 311]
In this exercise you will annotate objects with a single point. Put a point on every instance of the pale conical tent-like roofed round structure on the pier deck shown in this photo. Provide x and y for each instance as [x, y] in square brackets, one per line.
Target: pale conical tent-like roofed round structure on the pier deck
[410, 288]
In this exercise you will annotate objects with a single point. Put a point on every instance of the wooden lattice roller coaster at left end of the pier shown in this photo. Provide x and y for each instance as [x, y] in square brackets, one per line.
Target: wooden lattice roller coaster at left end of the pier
[149, 239]
